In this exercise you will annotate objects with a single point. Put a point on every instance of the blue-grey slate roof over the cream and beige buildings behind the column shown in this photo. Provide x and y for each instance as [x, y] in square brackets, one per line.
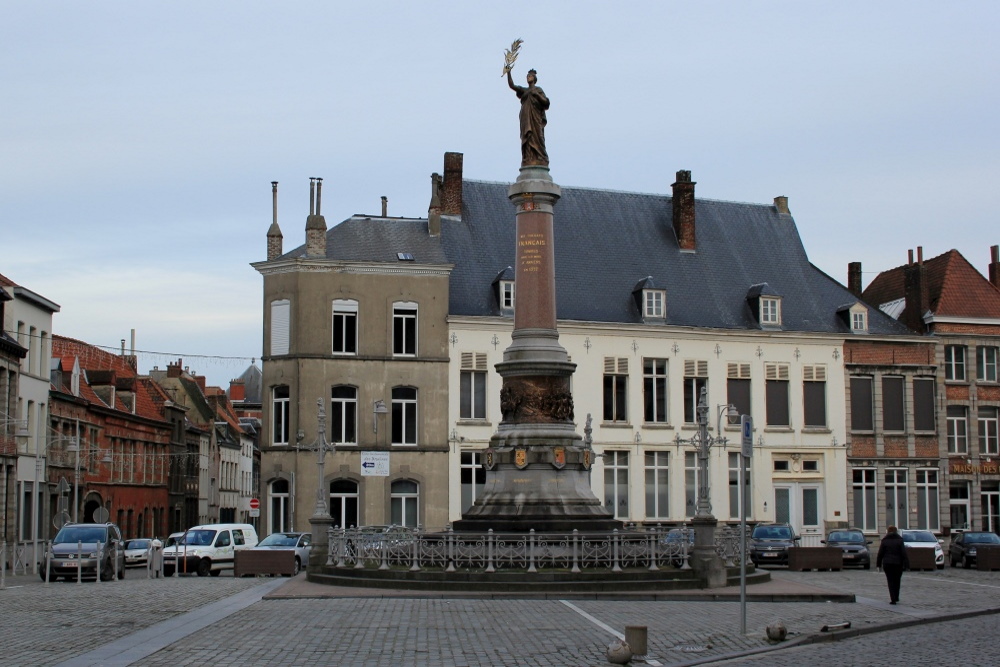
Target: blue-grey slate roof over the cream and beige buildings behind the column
[606, 242]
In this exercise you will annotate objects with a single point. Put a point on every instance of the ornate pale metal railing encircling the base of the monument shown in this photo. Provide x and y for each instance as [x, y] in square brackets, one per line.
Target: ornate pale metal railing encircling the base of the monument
[415, 549]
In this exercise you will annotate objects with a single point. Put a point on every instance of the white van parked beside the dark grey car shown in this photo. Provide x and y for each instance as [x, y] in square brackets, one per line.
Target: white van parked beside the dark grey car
[208, 549]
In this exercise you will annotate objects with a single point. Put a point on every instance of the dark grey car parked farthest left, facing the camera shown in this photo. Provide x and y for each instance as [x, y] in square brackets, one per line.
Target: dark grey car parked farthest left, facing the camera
[74, 553]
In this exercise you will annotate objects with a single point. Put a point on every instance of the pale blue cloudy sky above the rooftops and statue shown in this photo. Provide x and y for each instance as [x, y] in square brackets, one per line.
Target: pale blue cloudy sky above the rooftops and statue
[139, 140]
